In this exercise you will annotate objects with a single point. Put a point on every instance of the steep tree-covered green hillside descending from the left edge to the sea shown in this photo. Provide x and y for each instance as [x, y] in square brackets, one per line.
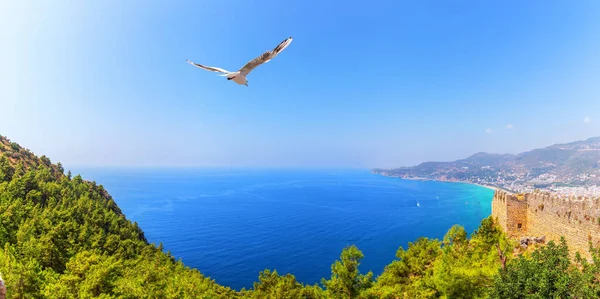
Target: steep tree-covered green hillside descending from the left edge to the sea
[64, 237]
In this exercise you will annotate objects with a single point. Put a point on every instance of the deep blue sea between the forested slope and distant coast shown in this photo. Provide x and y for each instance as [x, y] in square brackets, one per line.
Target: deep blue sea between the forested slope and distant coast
[231, 224]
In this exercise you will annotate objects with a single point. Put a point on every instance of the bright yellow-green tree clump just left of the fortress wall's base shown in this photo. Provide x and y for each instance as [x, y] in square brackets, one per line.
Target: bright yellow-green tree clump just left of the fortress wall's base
[457, 267]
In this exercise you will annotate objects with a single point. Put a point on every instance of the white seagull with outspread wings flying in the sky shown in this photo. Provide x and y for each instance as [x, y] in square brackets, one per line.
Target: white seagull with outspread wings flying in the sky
[239, 77]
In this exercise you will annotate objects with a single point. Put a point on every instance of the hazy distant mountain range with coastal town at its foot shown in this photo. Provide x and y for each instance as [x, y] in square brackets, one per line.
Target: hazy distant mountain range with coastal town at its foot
[572, 164]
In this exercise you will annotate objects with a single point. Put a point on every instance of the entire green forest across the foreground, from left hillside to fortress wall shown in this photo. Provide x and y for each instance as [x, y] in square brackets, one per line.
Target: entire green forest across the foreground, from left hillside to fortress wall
[64, 237]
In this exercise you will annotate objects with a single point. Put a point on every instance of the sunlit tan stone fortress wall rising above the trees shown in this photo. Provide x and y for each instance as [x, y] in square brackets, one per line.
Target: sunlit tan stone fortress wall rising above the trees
[543, 214]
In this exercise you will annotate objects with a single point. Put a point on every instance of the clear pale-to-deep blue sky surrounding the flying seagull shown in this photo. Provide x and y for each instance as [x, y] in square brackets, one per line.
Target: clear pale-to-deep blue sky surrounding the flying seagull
[364, 84]
